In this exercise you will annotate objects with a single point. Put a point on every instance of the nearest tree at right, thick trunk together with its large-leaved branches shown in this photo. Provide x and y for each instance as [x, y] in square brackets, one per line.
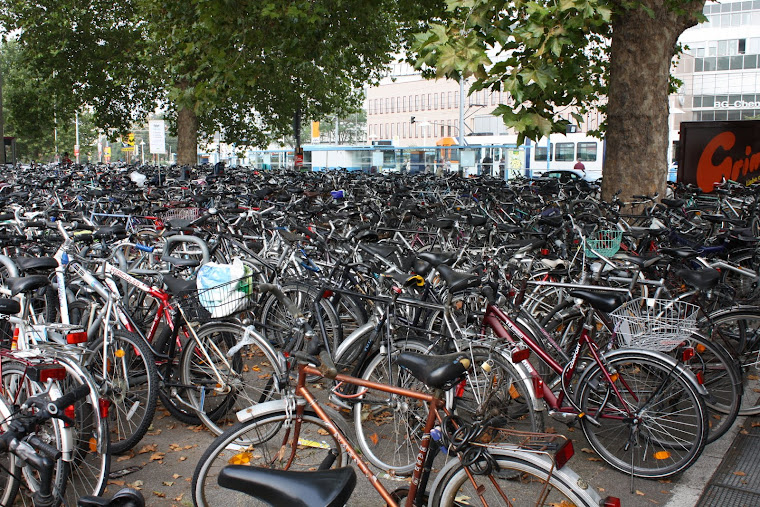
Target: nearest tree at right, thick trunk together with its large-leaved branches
[559, 57]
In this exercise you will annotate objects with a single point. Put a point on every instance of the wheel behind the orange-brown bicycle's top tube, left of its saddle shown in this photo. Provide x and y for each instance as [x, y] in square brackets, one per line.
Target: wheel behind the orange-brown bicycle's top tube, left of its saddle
[389, 427]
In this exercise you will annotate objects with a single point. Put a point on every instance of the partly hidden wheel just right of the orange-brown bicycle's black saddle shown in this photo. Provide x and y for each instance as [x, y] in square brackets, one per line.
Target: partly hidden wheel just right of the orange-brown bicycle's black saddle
[494, 386]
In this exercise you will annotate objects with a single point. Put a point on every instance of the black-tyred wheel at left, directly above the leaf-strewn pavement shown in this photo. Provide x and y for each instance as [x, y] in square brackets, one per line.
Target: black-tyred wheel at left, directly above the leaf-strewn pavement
[128, 375]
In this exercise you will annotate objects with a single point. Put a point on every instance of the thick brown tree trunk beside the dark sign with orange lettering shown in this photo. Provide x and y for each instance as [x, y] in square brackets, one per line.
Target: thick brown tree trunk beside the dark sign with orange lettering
[637, 103]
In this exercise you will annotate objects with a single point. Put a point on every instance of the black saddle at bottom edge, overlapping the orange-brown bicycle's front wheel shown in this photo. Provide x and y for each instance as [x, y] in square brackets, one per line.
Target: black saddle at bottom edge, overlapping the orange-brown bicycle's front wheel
[323, 488]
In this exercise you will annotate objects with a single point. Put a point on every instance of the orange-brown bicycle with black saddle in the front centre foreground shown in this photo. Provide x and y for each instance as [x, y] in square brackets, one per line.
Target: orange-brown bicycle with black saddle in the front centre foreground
[298, 433]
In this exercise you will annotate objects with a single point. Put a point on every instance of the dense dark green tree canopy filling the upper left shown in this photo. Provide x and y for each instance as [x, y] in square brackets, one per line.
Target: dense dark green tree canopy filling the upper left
[243, 68]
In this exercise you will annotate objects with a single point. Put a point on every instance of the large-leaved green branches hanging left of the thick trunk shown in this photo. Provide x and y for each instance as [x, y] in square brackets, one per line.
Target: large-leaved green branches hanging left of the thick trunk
[549, 56]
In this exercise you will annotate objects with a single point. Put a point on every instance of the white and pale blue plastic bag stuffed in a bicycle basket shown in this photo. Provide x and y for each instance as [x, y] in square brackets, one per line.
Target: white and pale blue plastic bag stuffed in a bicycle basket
[216, 290]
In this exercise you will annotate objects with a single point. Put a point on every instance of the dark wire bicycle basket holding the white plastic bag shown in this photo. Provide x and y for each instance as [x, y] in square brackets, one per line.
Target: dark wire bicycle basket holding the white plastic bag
[218, 301]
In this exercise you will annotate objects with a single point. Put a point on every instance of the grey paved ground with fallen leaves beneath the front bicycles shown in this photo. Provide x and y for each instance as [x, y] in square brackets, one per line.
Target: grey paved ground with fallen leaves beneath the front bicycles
[162, 466]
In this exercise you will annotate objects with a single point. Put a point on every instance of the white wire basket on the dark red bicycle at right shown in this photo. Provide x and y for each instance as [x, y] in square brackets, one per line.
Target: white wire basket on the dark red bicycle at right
[654, 324]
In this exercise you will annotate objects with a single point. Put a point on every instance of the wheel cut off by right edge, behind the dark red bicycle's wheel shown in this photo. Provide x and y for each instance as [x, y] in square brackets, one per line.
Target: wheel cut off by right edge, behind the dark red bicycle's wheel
[739, 331]
